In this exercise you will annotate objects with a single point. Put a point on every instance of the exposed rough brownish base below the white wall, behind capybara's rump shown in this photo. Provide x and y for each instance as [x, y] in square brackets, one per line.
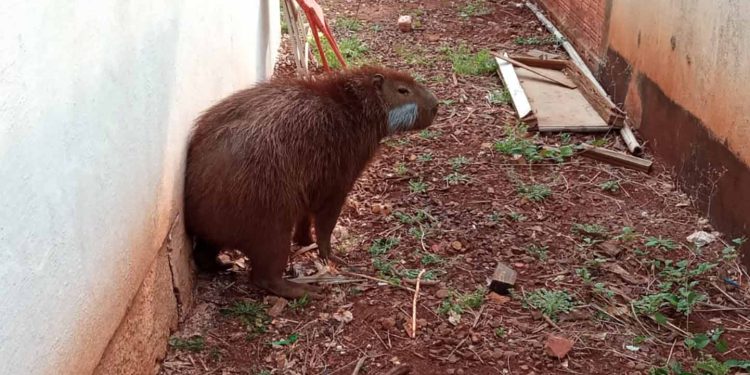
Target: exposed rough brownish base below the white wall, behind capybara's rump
[140, 342]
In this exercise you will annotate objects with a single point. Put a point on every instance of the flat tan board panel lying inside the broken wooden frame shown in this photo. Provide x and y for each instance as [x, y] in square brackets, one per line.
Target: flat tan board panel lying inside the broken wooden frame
[559, 108]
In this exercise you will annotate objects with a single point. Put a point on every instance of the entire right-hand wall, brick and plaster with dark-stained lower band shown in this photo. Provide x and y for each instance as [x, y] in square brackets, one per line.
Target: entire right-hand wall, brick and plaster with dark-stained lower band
[679, 68]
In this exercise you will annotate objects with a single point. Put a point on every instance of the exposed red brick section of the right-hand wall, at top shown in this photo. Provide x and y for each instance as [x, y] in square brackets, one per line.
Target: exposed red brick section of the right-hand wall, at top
[584, 22]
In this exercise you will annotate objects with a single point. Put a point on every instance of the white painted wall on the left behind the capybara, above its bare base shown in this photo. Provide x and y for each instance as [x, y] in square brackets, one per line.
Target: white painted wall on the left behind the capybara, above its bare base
[96, 101]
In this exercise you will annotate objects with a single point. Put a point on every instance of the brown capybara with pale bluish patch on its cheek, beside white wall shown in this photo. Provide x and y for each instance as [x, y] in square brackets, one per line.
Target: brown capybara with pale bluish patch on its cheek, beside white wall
[275, 157]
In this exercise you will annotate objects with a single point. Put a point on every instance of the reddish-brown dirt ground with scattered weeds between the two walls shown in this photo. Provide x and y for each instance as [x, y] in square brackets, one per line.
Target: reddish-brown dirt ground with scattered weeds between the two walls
[593, 245]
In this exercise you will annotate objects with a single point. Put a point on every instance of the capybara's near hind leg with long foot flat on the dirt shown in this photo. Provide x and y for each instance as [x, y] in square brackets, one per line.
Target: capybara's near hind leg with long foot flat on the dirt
[269, 259]
